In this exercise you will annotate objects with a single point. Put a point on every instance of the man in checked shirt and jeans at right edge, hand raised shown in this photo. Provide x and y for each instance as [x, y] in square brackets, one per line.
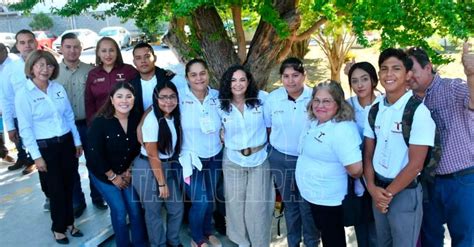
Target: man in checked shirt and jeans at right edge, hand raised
[451, 102]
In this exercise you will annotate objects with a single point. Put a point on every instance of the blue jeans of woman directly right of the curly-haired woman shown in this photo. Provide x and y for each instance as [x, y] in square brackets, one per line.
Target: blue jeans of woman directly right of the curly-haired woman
[297, 211]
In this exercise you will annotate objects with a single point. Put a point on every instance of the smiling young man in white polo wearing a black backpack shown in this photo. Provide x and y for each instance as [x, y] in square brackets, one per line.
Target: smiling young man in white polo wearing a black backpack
[391, 168]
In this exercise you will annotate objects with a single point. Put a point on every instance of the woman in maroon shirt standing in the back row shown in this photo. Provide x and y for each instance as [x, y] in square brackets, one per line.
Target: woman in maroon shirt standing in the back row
[109, 71]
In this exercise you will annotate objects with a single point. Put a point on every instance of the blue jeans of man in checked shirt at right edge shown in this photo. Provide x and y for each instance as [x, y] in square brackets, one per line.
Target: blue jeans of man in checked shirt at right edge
[451, 201]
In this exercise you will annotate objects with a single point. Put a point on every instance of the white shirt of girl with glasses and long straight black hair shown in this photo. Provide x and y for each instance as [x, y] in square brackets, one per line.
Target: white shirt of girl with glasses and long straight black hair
[150, 130]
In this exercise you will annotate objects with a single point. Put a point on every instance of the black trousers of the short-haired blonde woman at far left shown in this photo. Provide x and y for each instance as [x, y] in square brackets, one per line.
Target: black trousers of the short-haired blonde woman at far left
[59, 153]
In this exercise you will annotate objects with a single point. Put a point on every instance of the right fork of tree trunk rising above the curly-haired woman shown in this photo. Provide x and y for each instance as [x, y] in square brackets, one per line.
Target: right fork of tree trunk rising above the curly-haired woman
[266, 44]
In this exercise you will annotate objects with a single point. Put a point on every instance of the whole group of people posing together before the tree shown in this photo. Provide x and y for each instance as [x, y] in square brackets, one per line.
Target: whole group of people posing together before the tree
[150, 142]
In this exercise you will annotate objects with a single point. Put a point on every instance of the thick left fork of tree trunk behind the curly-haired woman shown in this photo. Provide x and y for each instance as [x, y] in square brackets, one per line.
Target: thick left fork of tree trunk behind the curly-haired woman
[217, 48]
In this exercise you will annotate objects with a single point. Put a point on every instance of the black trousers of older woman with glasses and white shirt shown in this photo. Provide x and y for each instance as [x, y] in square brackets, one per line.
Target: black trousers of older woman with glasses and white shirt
[329, 221]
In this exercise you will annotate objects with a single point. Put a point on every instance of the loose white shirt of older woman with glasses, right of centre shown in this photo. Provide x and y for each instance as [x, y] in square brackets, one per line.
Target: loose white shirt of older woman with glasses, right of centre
[326, 149]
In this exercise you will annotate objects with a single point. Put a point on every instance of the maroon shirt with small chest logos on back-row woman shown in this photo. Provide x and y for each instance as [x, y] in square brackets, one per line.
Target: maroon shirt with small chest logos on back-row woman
[100, 82]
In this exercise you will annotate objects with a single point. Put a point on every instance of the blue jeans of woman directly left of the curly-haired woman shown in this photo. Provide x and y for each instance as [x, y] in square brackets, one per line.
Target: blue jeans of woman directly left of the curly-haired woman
[201, 192]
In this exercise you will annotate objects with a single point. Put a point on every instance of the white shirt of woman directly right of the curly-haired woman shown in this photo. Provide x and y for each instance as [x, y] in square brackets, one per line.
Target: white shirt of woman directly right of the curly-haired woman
[282, 115]
